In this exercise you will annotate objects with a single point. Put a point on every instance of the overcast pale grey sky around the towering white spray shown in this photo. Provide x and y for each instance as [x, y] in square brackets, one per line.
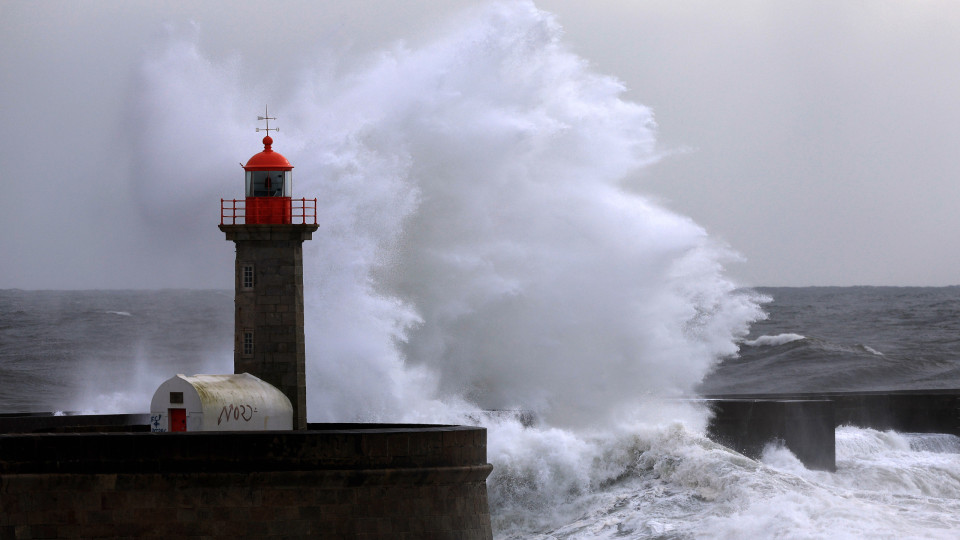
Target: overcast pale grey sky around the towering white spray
[819, 139]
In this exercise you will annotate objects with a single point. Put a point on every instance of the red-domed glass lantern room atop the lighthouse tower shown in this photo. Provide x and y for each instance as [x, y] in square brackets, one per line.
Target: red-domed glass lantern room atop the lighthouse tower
[269, 178]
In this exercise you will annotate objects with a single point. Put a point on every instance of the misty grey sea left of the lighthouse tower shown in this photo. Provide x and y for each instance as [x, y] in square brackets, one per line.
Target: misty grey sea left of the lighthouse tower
[107, 350]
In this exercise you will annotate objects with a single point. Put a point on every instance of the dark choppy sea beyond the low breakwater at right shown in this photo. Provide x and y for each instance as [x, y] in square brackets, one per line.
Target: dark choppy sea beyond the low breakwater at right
[849, 338]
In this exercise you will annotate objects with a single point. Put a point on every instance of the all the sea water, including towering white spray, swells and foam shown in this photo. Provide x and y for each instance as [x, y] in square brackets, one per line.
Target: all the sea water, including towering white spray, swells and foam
[480, 247]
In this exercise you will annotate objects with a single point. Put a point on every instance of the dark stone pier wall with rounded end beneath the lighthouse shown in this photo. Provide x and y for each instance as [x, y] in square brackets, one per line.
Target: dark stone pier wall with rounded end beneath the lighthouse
[329, 481]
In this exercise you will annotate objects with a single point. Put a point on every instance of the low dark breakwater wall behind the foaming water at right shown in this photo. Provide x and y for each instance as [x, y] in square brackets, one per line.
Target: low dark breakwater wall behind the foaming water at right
[806, 422]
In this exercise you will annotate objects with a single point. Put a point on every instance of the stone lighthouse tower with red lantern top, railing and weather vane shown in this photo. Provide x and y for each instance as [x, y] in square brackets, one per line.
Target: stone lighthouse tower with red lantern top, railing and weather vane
[269, 227]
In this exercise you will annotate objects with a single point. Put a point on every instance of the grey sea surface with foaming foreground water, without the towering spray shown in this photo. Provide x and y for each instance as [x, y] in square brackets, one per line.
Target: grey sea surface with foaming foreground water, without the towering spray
[106, 351]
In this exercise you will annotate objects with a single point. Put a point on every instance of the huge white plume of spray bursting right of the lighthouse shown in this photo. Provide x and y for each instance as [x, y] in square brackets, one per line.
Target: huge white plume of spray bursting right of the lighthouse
[479, 237]
